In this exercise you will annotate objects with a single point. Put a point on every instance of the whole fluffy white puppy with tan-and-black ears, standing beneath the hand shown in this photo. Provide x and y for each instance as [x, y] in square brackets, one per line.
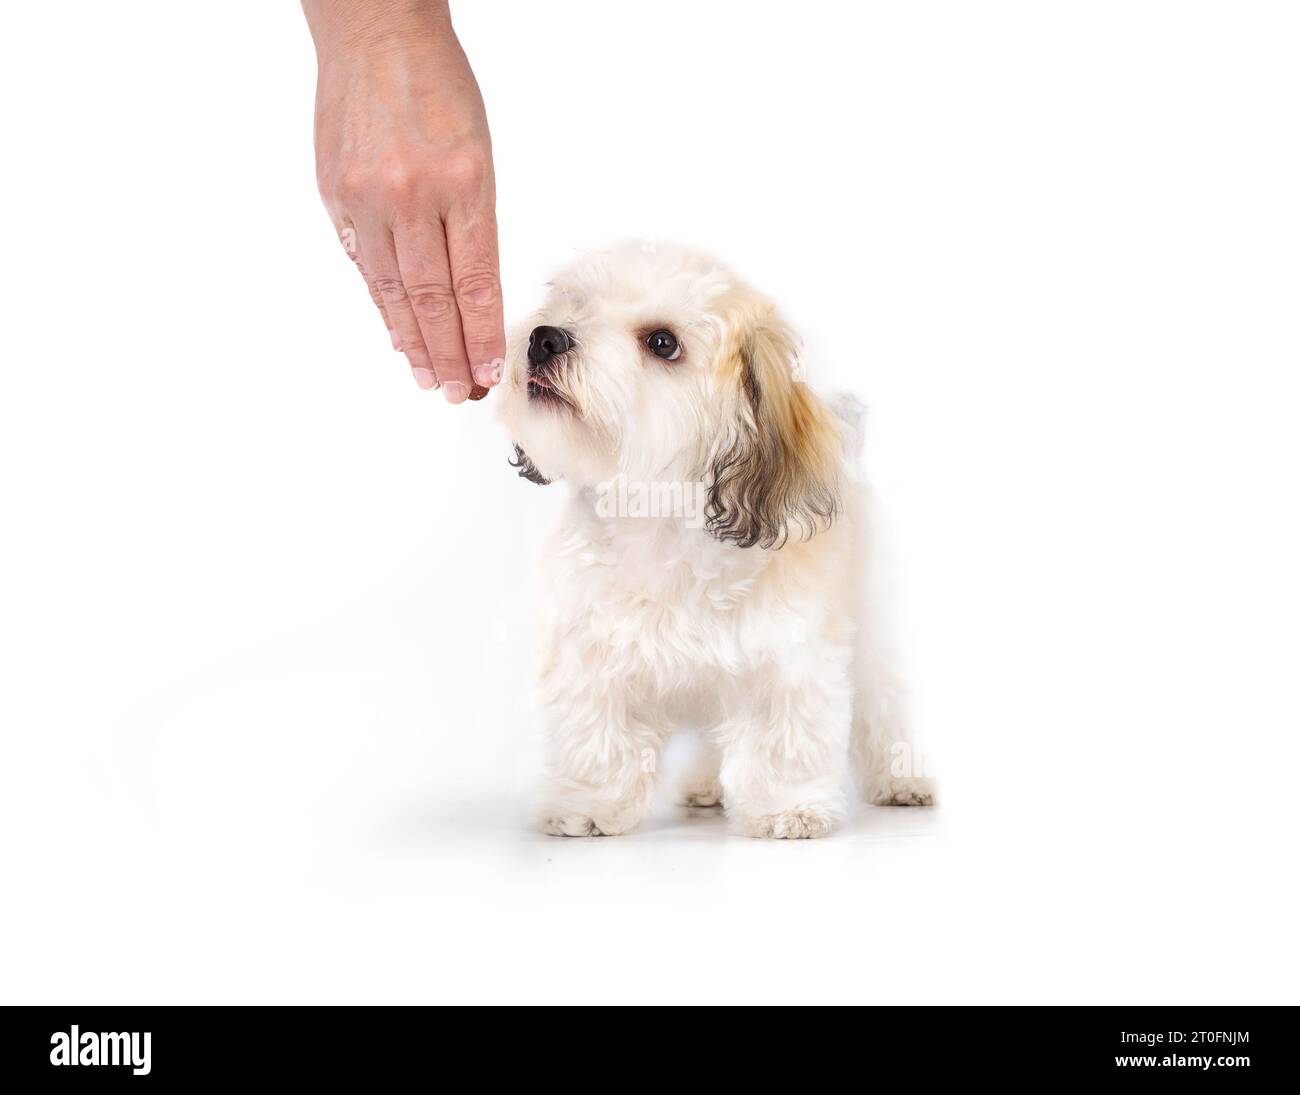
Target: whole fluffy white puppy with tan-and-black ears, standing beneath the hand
[714, 568]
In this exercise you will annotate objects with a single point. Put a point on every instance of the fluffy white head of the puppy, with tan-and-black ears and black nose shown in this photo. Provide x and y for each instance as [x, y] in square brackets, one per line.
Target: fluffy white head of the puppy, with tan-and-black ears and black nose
[660, 366]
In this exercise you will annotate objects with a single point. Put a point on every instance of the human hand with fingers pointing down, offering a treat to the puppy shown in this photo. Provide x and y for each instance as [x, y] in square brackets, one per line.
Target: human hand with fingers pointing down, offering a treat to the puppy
[404, 161]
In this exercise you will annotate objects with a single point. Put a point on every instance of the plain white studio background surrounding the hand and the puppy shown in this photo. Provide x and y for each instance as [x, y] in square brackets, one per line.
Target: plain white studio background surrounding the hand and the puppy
[267, 611]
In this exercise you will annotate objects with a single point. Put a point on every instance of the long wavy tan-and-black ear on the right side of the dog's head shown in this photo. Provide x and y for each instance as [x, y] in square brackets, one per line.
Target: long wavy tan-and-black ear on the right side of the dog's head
[778, 465]
